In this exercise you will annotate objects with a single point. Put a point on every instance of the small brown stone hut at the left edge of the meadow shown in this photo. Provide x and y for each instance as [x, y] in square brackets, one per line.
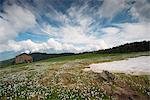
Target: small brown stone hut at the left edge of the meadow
[23, 58]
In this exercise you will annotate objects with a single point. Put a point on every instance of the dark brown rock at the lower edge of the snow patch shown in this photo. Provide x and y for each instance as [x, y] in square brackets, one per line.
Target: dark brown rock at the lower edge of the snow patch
[107, 76]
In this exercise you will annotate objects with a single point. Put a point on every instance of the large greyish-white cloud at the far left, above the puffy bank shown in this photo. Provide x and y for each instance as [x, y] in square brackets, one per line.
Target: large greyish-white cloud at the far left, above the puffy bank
[15, 20]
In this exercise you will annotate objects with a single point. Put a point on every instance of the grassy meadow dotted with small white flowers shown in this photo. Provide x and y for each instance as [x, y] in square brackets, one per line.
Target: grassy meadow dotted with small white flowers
[63, 78]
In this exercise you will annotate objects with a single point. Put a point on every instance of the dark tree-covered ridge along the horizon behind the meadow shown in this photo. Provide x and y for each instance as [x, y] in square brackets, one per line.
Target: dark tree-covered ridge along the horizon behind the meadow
[126, 48]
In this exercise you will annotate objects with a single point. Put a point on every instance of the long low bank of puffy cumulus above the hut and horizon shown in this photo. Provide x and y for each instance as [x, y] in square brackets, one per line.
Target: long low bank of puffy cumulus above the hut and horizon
[28, 46]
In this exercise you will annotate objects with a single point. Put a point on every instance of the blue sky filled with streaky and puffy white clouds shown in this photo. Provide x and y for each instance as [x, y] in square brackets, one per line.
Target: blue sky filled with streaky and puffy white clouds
[57, 26]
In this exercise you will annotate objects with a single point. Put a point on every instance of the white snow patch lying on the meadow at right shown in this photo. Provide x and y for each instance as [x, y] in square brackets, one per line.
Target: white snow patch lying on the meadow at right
[136, 66]
